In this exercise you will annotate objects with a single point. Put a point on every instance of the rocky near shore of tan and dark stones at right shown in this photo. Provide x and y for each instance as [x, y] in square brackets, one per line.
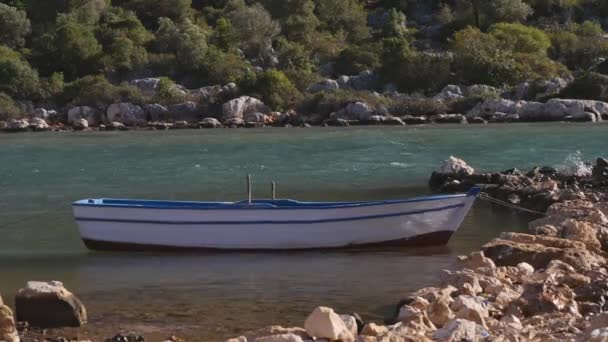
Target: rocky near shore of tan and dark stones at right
[550, 284]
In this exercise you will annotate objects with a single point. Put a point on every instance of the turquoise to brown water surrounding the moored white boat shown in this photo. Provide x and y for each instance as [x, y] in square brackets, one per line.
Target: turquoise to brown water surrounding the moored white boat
[210, 296]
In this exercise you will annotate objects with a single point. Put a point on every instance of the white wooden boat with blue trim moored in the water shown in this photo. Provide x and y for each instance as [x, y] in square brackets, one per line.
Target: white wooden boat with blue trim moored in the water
[144, 225]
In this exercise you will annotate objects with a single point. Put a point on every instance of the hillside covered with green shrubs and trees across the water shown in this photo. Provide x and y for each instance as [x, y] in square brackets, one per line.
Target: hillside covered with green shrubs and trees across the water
[311, 56]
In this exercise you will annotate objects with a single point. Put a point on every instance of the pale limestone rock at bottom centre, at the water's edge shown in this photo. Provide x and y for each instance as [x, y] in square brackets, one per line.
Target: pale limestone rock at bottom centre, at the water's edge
[323, 322]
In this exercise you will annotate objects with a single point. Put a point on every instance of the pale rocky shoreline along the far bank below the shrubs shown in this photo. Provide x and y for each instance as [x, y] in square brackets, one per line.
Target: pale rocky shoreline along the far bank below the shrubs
[225, 106]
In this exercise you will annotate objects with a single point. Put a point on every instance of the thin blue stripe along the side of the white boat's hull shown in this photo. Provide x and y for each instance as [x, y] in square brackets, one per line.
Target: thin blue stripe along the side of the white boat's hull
[342, 219]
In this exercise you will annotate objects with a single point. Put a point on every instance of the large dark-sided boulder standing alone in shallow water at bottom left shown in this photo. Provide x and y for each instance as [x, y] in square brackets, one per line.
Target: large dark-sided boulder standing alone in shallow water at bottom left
[49, 305]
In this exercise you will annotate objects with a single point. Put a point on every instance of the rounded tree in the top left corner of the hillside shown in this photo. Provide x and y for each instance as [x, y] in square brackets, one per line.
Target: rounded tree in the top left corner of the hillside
[14, 26]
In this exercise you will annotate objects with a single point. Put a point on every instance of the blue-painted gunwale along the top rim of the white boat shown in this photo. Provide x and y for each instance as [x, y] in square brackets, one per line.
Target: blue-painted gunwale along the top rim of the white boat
[243, 205]
